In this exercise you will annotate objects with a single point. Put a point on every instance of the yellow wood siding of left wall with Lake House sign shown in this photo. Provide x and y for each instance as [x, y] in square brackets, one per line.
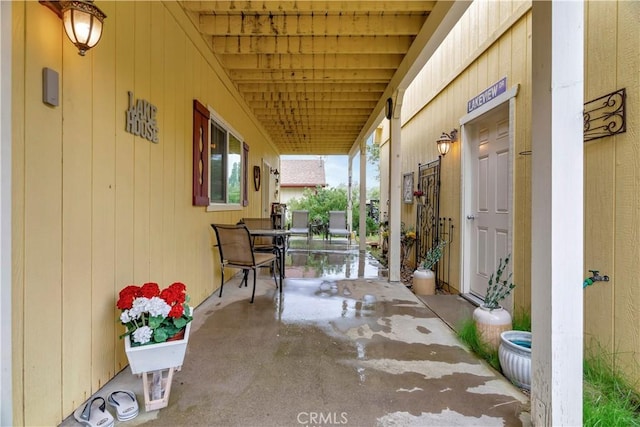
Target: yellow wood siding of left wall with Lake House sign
[96, 208]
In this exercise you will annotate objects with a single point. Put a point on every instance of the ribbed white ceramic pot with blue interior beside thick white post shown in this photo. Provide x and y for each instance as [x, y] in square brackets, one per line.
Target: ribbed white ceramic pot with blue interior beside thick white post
[515, 357]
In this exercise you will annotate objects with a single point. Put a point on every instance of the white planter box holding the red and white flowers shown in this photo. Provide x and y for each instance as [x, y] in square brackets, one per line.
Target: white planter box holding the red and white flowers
[155, 357]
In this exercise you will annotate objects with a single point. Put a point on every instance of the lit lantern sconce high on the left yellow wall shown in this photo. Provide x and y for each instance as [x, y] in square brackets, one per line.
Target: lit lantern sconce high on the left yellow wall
[82, 22]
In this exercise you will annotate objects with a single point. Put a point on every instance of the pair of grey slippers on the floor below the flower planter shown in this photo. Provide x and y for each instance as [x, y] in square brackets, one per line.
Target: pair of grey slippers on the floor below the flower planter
[94, 413]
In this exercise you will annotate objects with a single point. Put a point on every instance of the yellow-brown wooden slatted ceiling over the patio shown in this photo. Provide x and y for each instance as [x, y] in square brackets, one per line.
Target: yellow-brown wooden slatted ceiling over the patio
[313, 72]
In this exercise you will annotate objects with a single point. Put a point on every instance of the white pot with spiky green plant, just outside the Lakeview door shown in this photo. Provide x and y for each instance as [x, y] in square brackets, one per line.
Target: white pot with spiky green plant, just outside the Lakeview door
[491, 318]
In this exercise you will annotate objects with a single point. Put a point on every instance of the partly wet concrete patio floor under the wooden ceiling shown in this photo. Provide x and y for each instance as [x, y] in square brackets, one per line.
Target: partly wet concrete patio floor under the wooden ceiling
[355, 352]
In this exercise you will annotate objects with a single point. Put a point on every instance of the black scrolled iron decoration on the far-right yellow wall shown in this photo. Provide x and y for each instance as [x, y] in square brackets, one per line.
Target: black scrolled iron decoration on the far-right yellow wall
[605, 116]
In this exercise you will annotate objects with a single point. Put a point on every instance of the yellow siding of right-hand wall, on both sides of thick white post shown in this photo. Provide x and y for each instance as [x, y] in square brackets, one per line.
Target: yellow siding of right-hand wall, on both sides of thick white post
[470, 60]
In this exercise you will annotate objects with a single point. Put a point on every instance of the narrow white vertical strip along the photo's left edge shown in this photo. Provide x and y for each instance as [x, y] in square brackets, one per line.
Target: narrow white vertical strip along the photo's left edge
[6, 391]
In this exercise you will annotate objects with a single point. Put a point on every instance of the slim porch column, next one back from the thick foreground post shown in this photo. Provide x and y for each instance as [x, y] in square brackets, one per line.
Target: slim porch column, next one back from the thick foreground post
[395, 187]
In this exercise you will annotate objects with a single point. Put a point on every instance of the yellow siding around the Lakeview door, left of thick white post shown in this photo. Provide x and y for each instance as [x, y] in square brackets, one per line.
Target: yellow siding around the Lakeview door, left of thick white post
[470, 60]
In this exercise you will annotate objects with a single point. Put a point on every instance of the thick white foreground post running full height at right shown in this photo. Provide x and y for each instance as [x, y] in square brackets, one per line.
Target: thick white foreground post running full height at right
[557, 213]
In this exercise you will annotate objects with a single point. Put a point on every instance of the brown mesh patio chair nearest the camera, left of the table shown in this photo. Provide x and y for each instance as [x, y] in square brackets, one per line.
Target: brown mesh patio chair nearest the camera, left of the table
[236, 251]
